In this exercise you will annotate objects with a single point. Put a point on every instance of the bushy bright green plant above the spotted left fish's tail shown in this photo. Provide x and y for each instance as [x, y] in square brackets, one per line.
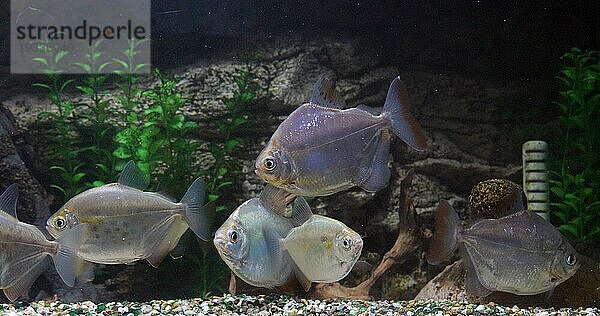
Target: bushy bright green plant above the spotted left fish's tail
[158, 136]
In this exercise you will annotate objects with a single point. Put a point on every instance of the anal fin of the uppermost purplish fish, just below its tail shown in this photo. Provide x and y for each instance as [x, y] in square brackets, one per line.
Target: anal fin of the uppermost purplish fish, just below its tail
[375, 176]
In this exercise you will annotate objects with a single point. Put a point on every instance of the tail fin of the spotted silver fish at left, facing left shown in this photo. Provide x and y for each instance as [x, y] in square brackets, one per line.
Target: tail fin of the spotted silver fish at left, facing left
[195, 212]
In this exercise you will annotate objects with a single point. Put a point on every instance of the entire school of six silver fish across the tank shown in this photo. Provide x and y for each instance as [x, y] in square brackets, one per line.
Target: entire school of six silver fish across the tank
[274, 240]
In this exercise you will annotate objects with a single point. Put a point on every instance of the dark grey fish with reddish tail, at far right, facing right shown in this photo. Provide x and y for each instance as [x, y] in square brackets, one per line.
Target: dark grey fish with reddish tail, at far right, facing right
[520, 253]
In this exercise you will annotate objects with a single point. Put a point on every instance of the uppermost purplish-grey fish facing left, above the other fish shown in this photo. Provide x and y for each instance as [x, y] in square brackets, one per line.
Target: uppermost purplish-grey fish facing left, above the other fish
[321, 149]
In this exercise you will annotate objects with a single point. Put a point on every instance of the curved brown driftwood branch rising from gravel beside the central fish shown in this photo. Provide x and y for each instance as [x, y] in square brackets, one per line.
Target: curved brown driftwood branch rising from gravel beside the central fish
[409, 239]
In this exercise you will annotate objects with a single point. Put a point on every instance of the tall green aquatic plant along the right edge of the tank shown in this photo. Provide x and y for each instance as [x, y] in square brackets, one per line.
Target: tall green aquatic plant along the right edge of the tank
[576, 174]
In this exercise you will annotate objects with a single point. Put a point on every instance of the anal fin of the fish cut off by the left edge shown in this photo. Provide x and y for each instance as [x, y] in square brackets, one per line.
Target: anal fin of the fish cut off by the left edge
[23, 274]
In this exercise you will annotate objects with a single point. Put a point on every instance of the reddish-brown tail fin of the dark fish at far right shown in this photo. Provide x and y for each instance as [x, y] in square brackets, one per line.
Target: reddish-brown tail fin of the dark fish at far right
[445, 238]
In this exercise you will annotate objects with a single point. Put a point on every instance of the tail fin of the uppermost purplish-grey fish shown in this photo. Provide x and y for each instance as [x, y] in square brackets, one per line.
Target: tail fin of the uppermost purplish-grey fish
[404, 125]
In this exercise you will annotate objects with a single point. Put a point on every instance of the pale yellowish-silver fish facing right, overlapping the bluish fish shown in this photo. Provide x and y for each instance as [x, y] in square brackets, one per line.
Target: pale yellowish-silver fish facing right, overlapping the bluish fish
[324, 249]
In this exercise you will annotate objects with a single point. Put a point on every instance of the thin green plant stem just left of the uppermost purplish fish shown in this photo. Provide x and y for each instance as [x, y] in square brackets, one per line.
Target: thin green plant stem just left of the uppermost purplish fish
[244, 93]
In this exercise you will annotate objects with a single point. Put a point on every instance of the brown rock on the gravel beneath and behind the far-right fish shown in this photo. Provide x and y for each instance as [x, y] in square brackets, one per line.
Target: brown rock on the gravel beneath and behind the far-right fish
[583, 289]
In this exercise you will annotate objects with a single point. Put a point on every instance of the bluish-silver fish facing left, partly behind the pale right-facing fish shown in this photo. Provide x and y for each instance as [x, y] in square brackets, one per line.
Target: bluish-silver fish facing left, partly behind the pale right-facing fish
[248, 241]
